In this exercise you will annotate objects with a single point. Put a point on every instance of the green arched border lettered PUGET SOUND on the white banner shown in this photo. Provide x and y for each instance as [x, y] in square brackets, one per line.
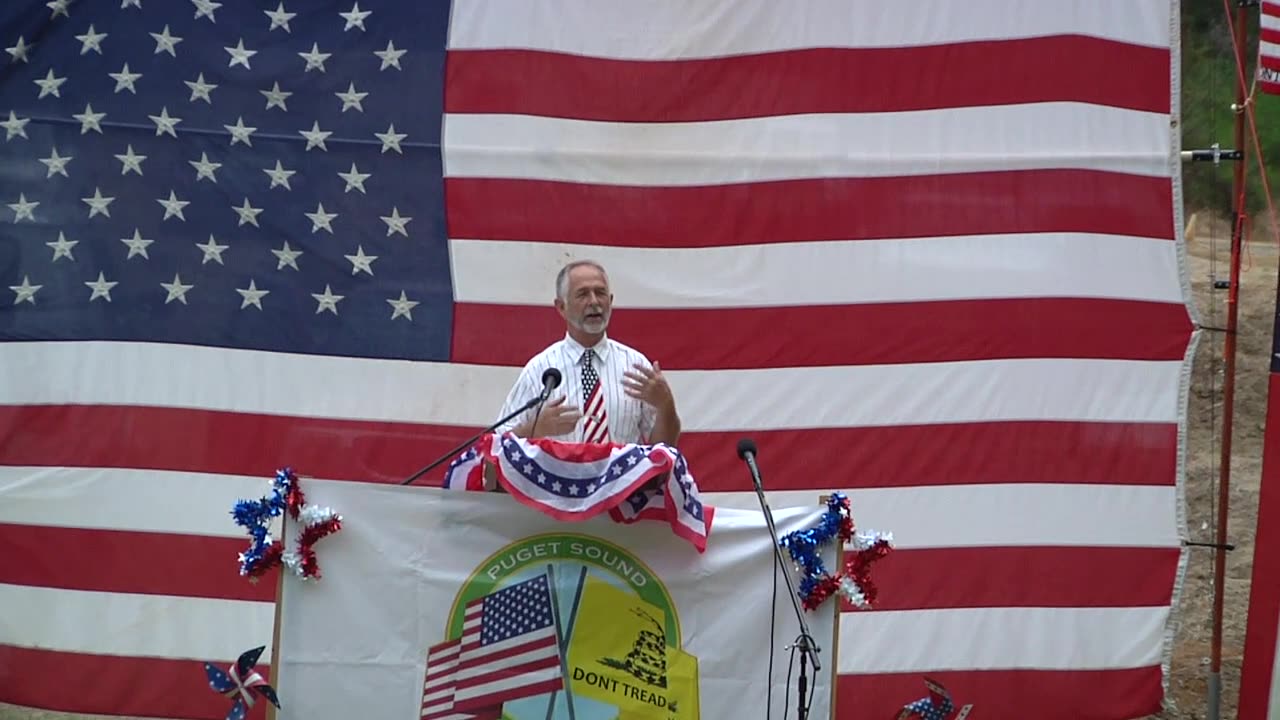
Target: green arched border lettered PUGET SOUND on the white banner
[655, 591]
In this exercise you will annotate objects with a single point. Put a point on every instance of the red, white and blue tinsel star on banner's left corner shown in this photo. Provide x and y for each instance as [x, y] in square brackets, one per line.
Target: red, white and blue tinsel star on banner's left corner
[266, 552]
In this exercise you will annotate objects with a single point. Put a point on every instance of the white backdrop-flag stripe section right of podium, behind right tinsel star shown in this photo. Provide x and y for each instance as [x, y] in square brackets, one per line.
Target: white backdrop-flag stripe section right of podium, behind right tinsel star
[996, 516]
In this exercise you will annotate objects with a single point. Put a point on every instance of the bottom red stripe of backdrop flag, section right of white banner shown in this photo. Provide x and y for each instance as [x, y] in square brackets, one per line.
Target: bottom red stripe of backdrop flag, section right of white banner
[1044, 695]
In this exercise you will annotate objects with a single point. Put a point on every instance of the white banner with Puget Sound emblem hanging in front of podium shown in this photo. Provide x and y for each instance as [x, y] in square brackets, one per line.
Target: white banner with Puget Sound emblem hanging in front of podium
[438, 604]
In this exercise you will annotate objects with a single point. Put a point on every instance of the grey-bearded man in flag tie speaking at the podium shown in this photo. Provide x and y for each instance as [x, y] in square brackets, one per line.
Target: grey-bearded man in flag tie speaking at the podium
[610, 393]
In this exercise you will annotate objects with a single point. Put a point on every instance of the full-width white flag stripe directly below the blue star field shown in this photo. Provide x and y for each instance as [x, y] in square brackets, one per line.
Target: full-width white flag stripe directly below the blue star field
[179, 376]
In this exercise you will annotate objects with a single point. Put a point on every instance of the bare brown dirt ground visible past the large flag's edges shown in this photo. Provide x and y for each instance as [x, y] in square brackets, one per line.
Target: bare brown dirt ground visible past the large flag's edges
[1208, 258]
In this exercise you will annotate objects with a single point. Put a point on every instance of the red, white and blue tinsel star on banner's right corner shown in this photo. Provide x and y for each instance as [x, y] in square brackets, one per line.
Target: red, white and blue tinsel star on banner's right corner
[854, 582]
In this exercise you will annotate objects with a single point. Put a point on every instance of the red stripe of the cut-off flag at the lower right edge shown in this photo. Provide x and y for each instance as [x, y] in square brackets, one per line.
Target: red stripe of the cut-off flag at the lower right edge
[1260, 639]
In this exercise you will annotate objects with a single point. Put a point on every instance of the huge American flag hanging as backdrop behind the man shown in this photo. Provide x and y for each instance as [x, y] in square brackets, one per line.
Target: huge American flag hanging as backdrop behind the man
[926, 254]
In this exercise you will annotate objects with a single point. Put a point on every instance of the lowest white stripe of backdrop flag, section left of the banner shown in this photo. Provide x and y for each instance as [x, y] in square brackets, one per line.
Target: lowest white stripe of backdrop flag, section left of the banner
[138, 626]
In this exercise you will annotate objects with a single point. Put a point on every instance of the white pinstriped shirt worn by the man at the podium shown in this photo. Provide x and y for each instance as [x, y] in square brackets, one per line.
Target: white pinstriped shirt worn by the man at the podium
[630, 420]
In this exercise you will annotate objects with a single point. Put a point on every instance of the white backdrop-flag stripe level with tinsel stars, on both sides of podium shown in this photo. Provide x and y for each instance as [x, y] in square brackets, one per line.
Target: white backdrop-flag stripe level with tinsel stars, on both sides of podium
[920, 517]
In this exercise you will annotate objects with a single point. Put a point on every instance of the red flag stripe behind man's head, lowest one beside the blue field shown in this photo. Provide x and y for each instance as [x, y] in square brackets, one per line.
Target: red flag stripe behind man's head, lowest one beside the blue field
[843, 335]
